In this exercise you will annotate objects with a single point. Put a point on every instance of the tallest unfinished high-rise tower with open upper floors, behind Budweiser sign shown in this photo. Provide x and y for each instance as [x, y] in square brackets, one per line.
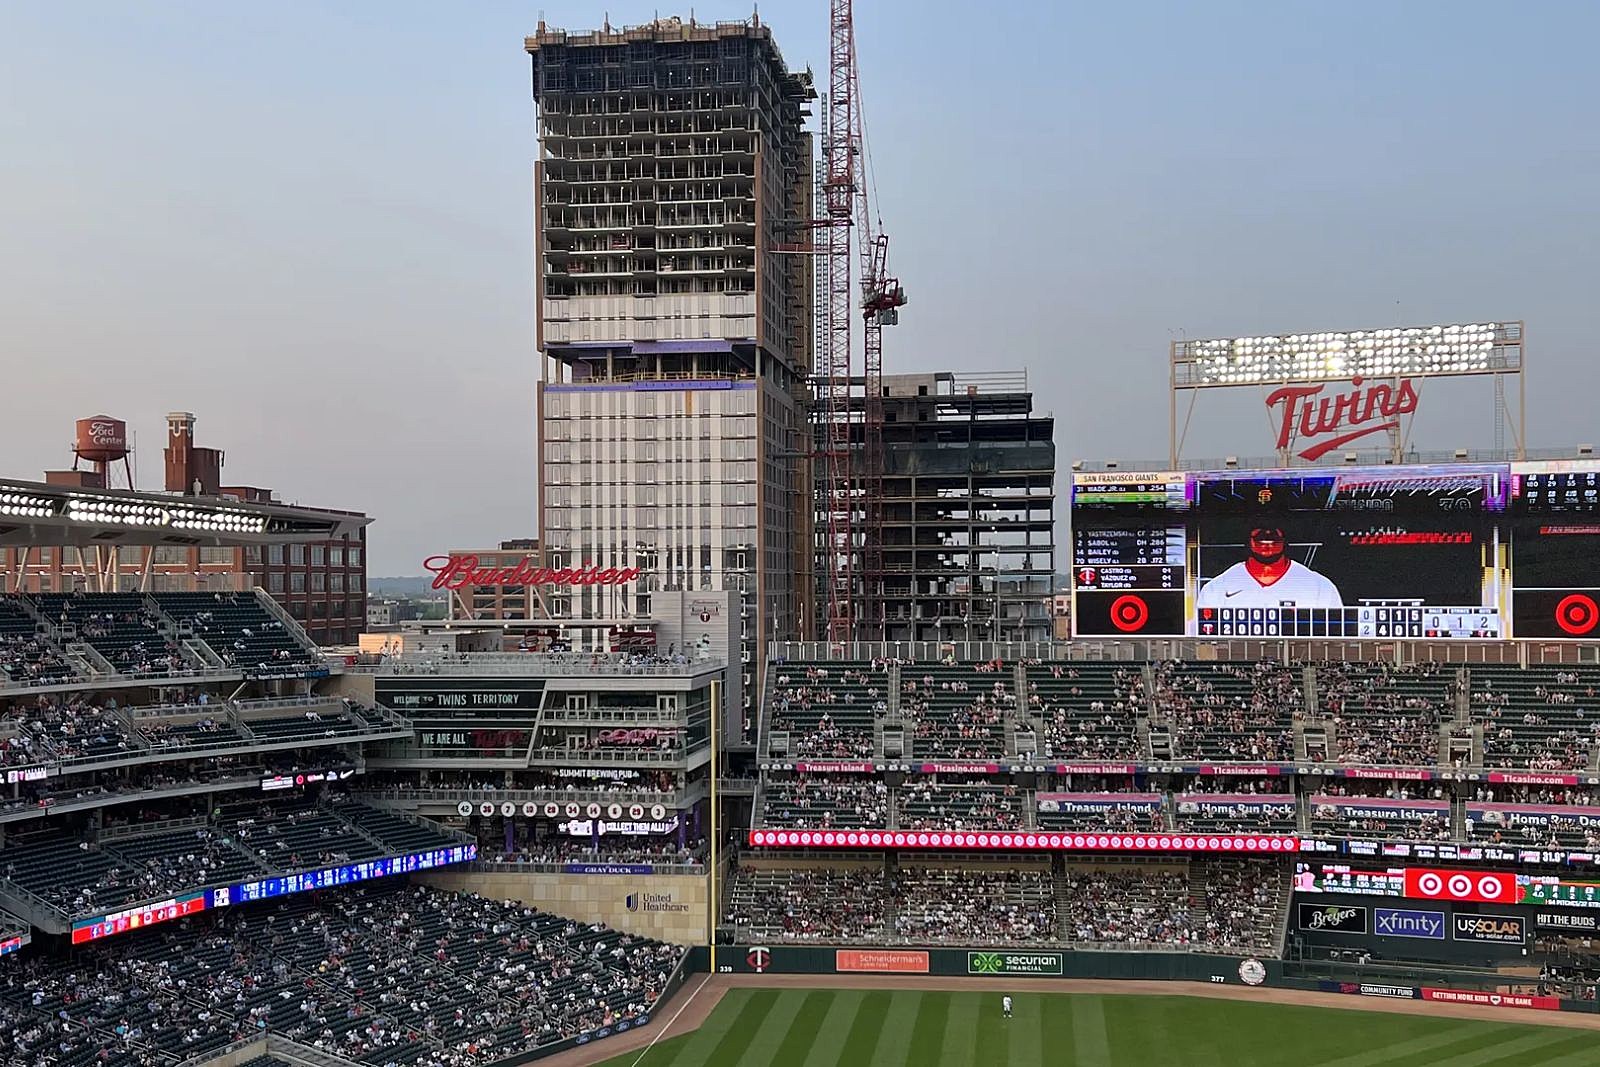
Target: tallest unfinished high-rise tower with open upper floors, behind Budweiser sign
[674, 326]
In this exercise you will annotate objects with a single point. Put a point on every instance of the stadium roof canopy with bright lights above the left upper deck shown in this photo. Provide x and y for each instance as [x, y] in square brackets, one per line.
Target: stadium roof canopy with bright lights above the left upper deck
[39, 514]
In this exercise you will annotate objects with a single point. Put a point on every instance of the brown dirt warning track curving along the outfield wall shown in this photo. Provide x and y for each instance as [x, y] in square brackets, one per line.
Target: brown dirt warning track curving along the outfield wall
[684, 1017]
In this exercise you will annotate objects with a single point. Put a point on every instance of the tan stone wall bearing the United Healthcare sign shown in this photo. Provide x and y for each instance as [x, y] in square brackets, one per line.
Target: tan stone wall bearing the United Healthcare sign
[666, 908]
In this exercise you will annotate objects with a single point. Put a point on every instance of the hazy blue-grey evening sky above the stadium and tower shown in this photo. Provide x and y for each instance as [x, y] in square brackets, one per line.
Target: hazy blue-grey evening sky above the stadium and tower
[313, 225]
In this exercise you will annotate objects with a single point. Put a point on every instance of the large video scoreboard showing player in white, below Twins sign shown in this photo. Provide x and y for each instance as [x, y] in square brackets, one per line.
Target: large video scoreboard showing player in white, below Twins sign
[1423, 553]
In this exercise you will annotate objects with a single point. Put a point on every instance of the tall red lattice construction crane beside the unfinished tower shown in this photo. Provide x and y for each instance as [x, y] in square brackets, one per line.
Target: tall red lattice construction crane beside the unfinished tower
[852, 490]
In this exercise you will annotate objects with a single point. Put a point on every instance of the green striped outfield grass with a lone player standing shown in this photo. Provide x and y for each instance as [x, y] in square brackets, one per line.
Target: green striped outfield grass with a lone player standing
[806, 1028]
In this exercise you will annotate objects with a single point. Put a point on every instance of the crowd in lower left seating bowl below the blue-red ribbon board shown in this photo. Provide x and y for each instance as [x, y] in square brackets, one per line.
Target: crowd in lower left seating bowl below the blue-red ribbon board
[380, 975]
